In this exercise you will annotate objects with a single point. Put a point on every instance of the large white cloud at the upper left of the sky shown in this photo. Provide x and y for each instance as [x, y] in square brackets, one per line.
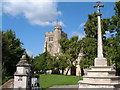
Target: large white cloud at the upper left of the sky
[43, 13]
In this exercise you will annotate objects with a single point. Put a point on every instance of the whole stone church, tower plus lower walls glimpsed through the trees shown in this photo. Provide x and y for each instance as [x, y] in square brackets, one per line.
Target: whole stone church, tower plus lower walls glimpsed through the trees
[52, 46]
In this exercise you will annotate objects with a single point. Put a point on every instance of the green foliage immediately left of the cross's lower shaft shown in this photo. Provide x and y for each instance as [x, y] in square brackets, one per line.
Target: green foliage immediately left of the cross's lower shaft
[89, 49]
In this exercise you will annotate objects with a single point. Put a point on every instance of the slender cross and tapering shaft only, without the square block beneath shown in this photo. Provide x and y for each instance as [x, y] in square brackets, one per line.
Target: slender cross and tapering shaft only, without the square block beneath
[100, 48]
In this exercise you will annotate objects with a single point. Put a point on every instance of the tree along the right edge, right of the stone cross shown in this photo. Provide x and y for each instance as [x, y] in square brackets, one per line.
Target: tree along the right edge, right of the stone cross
[113, 43]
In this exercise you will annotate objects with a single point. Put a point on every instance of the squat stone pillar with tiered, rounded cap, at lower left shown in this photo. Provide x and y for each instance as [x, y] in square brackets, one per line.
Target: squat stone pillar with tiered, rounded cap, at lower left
[22, 75]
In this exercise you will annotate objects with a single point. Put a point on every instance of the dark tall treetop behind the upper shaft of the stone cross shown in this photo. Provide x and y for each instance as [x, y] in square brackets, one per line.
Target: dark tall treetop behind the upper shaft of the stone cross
[91, 26]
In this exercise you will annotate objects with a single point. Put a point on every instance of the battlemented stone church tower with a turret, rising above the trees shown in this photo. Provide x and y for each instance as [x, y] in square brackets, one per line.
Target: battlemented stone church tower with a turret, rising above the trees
[51, 42]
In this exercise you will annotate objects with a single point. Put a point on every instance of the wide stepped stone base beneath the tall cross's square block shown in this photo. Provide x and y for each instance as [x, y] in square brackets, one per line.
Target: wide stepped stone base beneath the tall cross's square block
[100, 77]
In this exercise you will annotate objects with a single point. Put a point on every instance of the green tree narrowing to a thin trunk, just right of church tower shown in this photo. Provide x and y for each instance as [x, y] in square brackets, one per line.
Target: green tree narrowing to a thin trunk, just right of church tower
[70, 49]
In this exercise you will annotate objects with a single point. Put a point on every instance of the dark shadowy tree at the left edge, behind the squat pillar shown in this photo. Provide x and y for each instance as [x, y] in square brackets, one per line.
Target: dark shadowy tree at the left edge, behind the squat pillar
[11, 51]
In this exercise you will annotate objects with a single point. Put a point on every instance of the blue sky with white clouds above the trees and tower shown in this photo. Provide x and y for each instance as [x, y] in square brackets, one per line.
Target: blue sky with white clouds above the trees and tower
[30, 20]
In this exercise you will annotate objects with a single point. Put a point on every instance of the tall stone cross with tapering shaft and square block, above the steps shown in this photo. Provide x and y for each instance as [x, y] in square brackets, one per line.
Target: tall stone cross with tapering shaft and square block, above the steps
[100, 60]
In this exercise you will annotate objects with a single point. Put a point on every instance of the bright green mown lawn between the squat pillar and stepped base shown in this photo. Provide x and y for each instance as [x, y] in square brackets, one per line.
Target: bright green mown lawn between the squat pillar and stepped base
[47, 80]
